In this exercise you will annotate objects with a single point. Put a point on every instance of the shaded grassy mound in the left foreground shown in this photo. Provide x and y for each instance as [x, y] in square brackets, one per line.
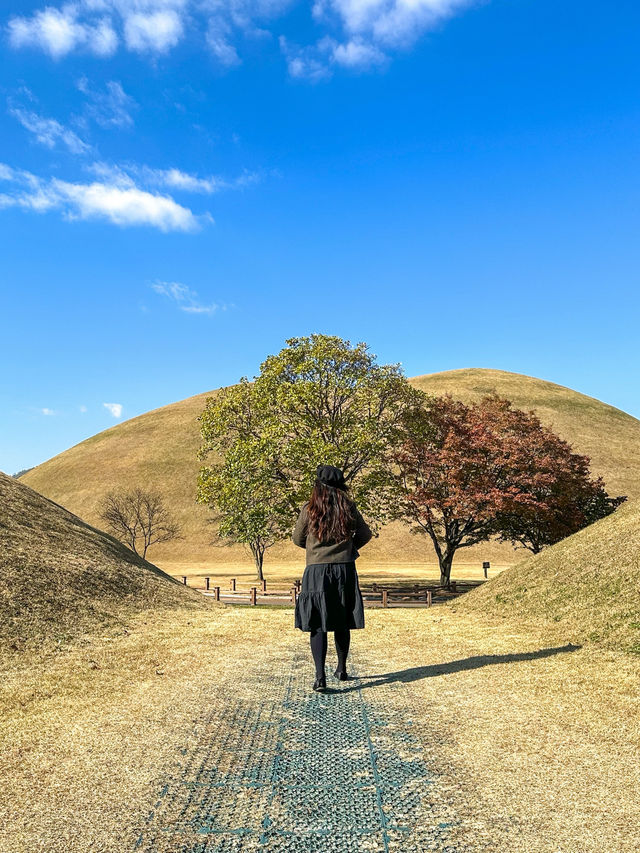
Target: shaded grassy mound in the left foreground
[59, 577]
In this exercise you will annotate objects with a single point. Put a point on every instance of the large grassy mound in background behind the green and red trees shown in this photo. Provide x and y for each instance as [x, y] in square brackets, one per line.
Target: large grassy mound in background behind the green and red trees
[158, 449]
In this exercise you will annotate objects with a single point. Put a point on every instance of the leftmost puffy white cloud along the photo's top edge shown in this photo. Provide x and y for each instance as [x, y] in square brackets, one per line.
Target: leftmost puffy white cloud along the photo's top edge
[58, 32]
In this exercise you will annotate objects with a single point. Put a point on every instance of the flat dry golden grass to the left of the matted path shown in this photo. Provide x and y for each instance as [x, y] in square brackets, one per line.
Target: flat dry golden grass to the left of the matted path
[88, 734]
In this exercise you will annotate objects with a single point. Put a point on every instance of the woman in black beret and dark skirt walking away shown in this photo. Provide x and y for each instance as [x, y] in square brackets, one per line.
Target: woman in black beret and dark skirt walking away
[331, 530]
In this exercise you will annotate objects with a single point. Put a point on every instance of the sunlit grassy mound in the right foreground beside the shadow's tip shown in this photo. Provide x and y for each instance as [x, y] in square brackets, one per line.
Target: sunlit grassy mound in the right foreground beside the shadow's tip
[586, 587]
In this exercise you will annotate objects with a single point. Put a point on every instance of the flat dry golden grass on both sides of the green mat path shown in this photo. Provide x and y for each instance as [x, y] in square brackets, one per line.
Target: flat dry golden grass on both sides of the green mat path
[534, 740]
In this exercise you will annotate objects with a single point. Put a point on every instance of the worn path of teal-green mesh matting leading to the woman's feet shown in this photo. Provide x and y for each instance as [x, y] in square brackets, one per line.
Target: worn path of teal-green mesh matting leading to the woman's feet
[279, 768]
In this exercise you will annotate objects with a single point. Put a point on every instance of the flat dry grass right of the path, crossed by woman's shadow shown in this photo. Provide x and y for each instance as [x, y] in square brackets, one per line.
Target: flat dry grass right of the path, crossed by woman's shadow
[542, 751]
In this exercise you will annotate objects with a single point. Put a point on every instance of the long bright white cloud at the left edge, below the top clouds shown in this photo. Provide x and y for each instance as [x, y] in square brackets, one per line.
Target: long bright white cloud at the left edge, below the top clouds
[120, 205]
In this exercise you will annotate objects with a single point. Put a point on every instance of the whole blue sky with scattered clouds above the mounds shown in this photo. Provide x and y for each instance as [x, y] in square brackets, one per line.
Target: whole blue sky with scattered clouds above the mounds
[184, 184]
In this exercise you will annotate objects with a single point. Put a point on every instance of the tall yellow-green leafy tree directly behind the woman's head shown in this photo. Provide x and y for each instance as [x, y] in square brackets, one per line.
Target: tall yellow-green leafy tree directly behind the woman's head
[318, 401]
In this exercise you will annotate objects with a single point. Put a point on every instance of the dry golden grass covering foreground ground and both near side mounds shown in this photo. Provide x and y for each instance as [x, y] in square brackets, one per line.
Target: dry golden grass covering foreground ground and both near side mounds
[535, 742]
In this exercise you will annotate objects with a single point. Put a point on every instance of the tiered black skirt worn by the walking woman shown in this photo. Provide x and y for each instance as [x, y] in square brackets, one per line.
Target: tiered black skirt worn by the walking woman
[330, 598]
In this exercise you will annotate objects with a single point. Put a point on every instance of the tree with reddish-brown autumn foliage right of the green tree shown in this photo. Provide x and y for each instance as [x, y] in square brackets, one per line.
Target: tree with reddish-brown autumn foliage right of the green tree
[471, 472]
